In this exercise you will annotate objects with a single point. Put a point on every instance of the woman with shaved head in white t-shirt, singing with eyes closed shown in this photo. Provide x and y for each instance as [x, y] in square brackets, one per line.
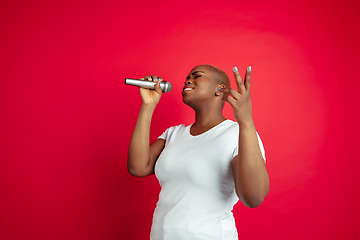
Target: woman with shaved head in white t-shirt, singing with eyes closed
[203, 168]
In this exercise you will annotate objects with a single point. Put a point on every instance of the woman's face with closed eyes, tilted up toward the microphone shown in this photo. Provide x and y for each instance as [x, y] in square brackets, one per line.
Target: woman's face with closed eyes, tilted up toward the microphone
[200, 86]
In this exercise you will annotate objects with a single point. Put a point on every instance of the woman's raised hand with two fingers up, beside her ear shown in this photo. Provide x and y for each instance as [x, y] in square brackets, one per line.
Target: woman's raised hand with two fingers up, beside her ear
[240, 100]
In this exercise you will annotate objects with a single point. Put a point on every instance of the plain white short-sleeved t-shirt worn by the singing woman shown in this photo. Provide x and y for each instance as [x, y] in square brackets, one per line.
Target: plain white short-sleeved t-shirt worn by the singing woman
[197, 184]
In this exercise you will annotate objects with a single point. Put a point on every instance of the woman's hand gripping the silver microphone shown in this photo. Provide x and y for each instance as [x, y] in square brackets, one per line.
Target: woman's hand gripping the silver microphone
[148, 96]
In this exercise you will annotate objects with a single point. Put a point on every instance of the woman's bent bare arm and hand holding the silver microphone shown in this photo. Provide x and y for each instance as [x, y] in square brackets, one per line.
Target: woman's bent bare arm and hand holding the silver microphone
[141, 155]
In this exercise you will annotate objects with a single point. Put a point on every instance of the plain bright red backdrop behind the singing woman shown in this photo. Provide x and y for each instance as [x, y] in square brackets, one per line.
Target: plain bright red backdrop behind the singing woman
[66, 115]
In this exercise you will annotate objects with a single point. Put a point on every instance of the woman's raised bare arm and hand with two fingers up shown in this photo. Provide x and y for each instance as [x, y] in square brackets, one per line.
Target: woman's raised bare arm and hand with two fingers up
[250, 174]
